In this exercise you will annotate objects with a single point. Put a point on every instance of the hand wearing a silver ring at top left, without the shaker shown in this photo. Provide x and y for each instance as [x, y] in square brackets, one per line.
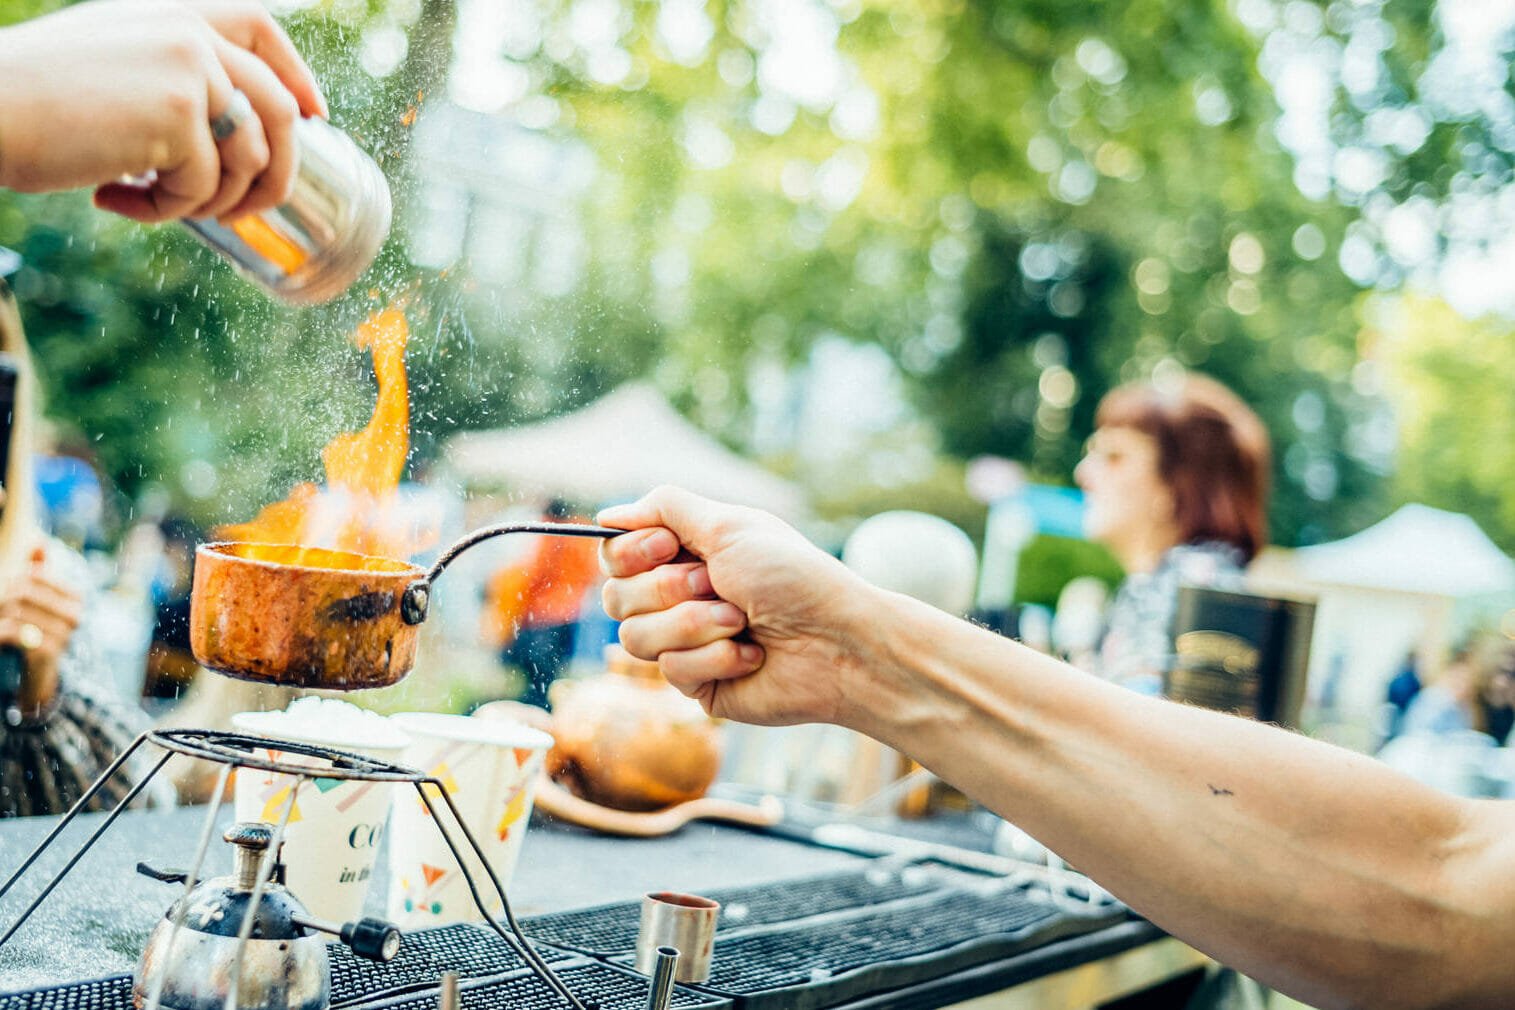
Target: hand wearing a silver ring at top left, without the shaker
[146, 86]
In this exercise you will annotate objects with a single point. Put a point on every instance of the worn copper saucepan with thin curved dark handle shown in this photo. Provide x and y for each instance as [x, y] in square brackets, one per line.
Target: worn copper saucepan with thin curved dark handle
[305, 617]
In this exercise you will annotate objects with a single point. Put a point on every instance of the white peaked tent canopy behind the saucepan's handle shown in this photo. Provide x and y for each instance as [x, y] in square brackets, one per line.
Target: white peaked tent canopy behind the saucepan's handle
[616, 449]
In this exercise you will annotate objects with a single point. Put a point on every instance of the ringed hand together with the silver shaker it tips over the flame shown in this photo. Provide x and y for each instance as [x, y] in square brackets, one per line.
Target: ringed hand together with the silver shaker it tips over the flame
[198, 110]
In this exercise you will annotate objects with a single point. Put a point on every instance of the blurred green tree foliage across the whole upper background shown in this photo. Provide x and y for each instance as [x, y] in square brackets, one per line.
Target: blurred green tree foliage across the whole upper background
[1023, 202]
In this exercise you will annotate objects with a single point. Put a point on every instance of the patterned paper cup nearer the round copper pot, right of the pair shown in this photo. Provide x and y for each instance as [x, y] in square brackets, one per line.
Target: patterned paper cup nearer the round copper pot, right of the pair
[490, 772]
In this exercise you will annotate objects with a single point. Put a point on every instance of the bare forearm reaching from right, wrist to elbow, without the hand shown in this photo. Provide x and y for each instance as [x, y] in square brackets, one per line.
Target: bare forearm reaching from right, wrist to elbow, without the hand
[1313, 868]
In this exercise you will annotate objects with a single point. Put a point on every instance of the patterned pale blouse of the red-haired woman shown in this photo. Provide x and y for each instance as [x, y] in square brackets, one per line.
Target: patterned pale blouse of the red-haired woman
[1139, 628]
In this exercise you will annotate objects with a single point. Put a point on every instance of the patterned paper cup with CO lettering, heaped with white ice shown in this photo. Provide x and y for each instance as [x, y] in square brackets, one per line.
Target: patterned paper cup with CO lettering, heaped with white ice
[336, 826]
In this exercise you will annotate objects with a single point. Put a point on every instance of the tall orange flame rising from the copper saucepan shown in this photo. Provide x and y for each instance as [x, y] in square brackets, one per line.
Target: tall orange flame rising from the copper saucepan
[355, 511]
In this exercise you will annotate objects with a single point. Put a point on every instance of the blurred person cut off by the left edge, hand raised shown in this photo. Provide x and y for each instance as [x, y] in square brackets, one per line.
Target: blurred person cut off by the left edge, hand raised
[61, 723]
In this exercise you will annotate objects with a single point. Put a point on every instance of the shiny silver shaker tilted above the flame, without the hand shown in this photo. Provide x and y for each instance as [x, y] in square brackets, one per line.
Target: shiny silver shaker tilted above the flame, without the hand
[316, 246]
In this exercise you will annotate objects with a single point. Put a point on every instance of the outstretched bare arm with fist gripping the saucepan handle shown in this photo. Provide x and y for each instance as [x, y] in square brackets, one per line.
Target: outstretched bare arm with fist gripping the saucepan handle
[1311, 868]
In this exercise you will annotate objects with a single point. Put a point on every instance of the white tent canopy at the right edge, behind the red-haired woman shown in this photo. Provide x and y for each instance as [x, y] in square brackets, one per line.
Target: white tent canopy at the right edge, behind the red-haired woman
[1417, 550]
